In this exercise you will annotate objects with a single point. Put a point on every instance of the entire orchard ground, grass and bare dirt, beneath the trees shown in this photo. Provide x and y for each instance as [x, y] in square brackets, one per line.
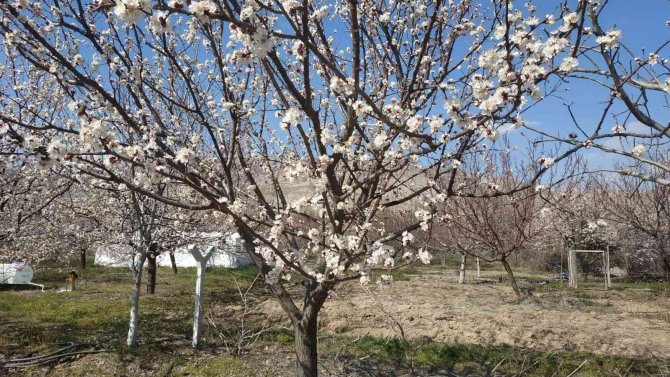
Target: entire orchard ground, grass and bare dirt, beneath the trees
[424, 324]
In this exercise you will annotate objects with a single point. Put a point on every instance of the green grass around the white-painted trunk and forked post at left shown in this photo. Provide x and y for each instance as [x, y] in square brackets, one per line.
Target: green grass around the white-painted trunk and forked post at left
[98, 309]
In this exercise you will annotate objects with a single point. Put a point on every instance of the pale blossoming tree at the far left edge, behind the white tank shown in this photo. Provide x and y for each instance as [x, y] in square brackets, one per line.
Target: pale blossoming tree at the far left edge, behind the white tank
[43, 217]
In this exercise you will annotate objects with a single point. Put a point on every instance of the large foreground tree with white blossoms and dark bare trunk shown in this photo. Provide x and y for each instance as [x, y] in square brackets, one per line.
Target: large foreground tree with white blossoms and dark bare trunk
[368, 103]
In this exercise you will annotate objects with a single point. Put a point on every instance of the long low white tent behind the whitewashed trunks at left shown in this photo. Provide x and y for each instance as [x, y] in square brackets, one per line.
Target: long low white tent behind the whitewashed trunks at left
[228, 253]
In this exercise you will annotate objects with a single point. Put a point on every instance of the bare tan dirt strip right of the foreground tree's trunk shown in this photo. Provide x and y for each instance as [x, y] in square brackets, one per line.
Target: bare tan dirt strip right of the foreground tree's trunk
[624, 323]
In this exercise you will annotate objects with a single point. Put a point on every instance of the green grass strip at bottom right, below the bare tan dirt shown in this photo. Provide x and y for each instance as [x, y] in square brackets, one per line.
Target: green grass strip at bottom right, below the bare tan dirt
[462, 359]
